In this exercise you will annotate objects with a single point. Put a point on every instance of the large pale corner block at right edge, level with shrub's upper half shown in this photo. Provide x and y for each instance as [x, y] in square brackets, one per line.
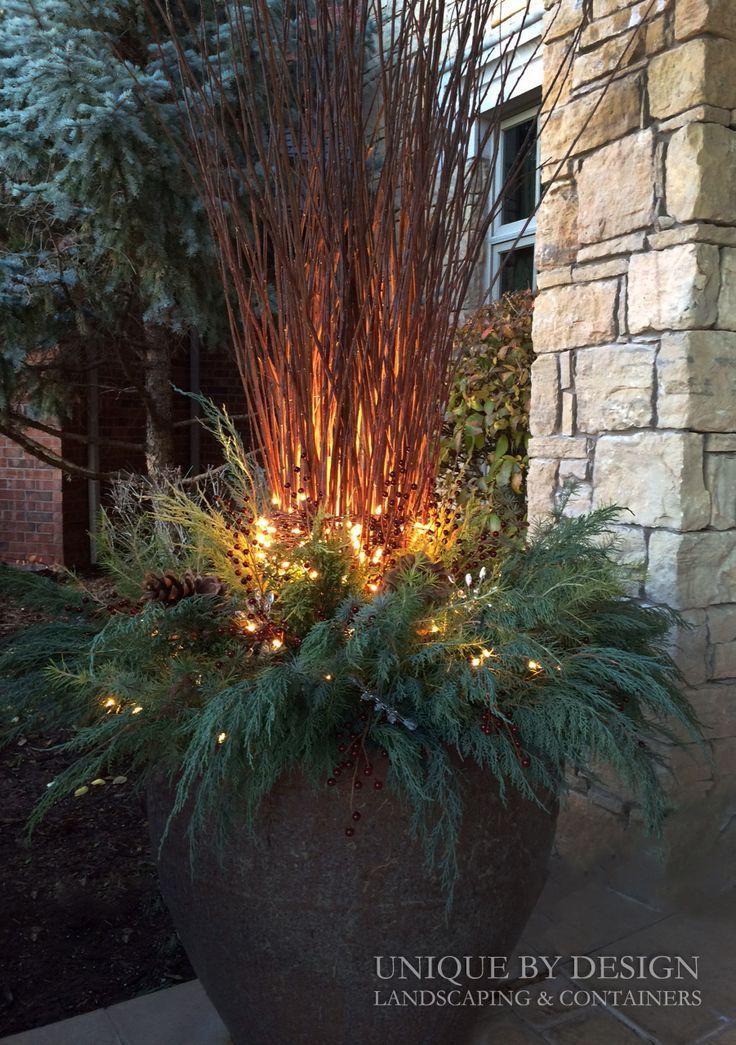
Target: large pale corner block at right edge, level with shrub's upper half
[697, 381]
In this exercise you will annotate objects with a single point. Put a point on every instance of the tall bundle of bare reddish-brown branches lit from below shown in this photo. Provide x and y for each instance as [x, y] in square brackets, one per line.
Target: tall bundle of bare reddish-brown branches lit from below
[348, 178]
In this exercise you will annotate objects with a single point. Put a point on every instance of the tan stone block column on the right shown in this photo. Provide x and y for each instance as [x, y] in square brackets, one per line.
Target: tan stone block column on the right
[635, 386]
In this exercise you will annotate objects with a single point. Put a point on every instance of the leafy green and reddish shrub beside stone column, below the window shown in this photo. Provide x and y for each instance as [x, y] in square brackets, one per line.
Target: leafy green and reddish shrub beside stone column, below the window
[485, 445]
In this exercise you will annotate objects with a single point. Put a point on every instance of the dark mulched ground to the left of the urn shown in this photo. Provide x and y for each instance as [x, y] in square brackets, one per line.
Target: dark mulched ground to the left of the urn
[82, 922]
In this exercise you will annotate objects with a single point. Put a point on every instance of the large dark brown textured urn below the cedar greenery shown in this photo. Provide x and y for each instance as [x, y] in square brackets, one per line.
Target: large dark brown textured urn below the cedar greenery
[285, 932]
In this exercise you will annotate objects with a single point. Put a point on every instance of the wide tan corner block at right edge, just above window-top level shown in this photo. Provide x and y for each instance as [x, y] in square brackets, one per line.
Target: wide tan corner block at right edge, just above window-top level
[697, 73]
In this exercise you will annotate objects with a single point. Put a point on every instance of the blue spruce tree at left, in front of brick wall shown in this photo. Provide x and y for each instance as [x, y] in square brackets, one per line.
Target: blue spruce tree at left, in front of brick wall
[105, 250]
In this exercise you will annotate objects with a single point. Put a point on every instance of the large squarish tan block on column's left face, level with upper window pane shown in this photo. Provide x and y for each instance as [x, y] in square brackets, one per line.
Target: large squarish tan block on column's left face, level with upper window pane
[616, 189]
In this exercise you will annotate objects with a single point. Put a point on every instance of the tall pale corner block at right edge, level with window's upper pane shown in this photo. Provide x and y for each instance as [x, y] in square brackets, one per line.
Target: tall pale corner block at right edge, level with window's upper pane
[701, 173]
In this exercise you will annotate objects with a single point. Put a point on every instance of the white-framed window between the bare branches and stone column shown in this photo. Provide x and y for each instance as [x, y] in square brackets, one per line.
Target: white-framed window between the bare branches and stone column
[512, 245]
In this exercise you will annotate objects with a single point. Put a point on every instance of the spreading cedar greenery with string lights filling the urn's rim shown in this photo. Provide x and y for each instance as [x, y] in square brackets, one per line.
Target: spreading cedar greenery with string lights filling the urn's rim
[521, 660]
